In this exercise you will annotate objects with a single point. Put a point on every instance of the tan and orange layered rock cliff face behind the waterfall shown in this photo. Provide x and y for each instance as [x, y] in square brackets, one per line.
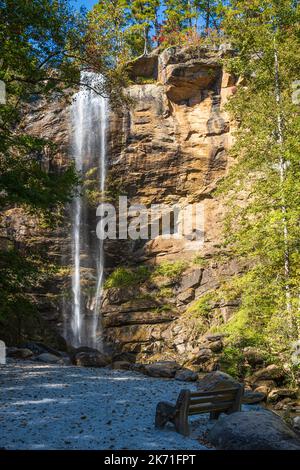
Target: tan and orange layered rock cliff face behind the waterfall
[169, 147]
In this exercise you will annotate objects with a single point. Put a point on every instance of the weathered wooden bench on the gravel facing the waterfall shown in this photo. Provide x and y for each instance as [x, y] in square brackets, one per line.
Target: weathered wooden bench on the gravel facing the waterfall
[194, 403]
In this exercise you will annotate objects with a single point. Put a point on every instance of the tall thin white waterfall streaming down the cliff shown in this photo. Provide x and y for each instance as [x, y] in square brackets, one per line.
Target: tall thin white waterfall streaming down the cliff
[89, 114]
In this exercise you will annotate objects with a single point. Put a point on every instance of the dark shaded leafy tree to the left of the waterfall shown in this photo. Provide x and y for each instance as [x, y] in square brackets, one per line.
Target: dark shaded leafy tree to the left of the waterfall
[43, 46]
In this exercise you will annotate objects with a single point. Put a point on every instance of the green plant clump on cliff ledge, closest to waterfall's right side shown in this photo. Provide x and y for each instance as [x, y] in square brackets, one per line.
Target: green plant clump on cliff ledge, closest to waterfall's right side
[126, 277]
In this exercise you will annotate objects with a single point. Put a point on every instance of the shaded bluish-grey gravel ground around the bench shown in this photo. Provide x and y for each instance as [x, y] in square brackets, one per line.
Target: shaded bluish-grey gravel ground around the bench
[65, 407]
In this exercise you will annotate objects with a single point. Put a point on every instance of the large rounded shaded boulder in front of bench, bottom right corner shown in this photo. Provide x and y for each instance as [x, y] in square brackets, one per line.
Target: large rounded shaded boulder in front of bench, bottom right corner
[253, 430]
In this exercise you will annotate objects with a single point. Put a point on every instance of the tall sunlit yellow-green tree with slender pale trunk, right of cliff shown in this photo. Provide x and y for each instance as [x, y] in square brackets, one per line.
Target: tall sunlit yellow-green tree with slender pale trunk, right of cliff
[265, 231]
